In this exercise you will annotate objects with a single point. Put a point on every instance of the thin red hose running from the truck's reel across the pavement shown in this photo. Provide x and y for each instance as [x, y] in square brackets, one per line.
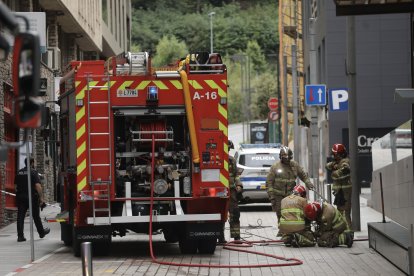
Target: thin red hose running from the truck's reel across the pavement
[228, 246]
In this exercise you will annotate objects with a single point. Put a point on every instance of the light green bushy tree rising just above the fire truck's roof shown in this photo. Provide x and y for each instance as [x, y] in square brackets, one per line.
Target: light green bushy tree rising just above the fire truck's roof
[169, 50]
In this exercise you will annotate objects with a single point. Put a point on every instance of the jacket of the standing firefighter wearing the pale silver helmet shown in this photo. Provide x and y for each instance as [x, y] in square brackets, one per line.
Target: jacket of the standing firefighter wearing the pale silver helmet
[282, 178]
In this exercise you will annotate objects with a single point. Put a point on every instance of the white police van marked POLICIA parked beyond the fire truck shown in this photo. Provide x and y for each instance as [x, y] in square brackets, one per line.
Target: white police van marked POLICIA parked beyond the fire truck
[256, 160]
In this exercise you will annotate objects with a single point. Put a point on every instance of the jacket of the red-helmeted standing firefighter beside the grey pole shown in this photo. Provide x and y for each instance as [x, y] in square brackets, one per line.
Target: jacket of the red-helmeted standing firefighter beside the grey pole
[341, 174]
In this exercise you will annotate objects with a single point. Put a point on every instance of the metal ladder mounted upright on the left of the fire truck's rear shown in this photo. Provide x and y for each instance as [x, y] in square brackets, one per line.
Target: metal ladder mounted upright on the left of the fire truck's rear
[99, 139]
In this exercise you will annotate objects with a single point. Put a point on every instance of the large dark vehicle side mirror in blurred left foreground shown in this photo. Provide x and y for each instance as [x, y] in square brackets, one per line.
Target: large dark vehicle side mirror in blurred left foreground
[26, 80]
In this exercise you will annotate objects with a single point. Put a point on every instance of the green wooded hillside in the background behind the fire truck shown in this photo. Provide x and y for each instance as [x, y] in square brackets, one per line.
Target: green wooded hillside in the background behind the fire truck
[169, 30]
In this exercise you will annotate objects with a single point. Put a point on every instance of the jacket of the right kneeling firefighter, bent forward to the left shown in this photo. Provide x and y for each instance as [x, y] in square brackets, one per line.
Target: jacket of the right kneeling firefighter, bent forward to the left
[330, 219]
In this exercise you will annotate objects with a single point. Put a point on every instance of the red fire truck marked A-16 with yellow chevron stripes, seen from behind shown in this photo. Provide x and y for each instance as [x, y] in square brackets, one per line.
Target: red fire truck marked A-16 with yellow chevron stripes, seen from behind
[141, 145]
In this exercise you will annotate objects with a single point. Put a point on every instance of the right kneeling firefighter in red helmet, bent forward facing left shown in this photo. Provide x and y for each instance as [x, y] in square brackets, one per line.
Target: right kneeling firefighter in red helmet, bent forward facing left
[332, 228]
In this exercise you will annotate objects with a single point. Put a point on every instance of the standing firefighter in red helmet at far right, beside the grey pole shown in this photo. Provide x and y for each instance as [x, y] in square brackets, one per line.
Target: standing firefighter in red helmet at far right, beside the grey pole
[341, 176]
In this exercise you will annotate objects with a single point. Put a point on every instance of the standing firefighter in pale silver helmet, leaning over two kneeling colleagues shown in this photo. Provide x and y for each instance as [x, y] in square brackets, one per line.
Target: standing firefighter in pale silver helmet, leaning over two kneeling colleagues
[282, 179]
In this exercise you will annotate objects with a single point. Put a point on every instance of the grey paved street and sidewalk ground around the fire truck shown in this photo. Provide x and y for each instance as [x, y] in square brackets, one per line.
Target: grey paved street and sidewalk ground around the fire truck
[52, 257]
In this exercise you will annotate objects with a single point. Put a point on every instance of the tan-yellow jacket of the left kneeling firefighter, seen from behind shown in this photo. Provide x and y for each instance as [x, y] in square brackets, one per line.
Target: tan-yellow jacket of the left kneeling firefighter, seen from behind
[293, 217]
